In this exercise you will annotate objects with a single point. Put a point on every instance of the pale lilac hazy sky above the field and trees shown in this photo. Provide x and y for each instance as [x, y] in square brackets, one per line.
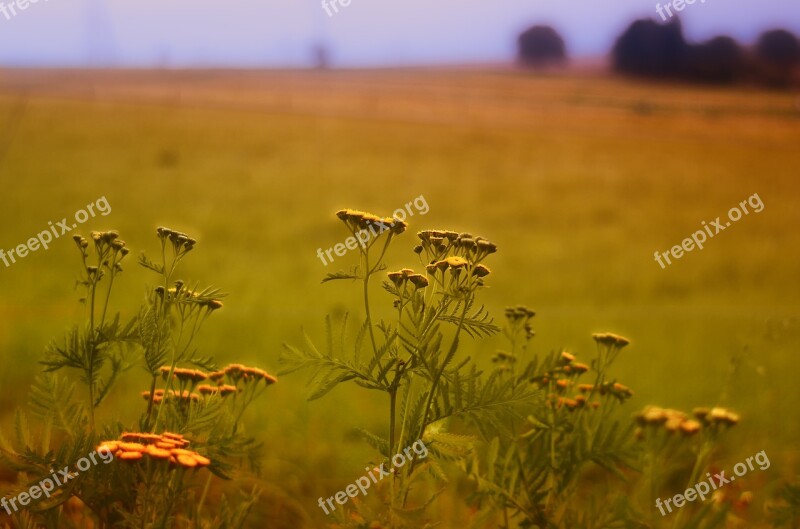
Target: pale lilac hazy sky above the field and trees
[366, 33]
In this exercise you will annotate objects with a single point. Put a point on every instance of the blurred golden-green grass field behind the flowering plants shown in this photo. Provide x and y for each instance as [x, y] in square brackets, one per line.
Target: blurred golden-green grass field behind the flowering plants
[578, 178]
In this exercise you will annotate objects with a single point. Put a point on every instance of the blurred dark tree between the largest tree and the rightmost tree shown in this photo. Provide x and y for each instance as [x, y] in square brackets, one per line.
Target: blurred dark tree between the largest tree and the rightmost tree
[720, 60]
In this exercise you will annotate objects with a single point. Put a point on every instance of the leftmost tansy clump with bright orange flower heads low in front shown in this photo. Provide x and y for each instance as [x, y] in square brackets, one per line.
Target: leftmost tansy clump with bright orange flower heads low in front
[191, 425]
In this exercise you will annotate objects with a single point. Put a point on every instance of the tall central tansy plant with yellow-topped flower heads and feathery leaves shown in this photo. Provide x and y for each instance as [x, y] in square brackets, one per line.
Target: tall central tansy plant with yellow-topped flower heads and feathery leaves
[413, 360]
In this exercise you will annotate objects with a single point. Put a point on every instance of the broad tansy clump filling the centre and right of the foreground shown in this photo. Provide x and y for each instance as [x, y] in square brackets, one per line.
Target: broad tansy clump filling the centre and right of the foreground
[546, 440]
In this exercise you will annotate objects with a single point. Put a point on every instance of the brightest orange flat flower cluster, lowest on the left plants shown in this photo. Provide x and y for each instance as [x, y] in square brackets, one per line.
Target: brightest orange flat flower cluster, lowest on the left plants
[171, 447]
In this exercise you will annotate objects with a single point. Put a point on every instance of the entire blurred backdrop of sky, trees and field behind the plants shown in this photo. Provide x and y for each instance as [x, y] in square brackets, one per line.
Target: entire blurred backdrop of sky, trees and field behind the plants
[579, 138]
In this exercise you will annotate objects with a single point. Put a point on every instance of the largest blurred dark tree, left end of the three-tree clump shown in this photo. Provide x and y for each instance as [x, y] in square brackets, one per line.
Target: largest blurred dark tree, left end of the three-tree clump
[651, 49]
